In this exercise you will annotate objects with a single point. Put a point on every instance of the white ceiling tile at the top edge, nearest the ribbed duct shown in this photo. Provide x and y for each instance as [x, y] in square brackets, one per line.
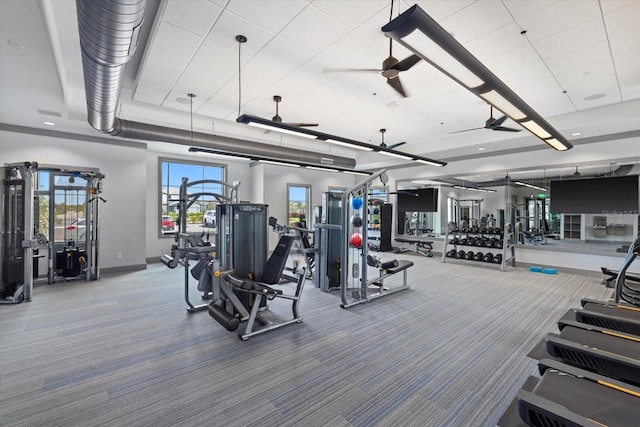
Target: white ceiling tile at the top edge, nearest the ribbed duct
[195, 16]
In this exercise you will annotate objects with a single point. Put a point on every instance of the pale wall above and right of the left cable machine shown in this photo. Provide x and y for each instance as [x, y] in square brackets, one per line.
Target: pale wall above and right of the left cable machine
[125, 186]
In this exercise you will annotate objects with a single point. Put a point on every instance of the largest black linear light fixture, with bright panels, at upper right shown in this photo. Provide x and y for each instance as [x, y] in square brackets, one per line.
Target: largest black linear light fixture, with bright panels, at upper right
[421, 34]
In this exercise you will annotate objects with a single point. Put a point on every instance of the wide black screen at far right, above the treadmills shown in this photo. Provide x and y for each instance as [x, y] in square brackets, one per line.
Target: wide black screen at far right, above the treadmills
[612, 195]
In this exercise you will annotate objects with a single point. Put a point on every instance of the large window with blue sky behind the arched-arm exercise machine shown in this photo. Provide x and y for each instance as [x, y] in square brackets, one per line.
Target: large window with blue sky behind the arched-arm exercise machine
[200, 214]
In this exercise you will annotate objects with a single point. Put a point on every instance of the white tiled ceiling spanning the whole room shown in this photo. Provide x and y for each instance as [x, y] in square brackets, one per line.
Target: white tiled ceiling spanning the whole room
[588, 48]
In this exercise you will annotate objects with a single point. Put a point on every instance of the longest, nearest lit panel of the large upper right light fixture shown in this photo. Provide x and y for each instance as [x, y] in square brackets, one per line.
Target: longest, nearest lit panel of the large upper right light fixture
[442, 60]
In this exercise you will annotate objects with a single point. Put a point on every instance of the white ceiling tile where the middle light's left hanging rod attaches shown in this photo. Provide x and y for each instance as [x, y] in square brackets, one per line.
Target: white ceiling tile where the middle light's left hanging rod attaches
[230, 25]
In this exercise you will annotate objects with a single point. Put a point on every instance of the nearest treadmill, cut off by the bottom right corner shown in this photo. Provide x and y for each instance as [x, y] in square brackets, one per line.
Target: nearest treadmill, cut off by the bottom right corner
[569, 396]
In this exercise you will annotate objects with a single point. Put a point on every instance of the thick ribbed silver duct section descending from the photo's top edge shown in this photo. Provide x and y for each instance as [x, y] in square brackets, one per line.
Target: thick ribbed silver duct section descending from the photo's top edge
[109, 31]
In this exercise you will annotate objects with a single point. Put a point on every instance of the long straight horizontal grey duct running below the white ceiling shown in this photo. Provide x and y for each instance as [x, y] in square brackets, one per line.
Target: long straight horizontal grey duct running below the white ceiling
[148, 132]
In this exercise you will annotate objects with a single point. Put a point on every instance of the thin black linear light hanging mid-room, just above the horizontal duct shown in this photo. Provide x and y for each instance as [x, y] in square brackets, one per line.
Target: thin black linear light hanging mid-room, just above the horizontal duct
[333, 139]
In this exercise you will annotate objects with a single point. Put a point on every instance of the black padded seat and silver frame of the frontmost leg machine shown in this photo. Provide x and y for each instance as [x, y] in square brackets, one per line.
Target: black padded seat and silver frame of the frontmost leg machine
[227, 309]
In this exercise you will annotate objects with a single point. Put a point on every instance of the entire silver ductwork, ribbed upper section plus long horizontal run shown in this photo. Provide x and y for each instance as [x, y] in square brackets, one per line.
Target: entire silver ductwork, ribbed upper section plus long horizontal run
[109, 31]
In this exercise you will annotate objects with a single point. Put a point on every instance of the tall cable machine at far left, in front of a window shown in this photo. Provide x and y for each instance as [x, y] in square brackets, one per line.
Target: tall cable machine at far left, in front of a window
[36, 203]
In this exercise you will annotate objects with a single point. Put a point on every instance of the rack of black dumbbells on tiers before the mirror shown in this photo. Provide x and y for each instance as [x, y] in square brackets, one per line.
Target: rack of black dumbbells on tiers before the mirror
[473, 237]
